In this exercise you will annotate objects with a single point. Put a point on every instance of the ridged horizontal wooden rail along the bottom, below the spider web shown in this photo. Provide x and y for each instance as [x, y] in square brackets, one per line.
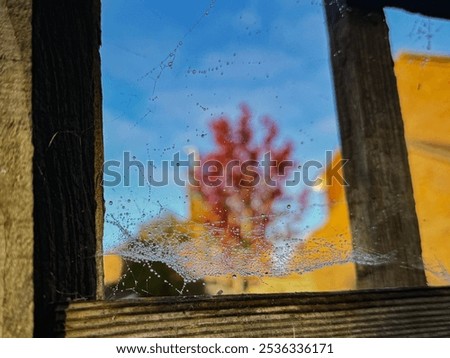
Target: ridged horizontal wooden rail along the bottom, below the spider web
[383, 313]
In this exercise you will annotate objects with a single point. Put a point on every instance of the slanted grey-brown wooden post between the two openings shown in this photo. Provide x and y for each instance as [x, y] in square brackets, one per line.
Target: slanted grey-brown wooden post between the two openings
[380, 194]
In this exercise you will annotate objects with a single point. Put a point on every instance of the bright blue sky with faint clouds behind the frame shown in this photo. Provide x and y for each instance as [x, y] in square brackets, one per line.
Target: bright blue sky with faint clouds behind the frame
[169, 67]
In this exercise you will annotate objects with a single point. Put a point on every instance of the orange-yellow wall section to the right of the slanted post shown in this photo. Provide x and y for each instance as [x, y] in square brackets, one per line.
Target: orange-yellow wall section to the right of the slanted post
[424, 87]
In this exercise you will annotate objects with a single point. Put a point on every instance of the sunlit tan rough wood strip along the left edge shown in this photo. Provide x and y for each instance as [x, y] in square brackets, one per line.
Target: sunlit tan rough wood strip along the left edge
[16, 177]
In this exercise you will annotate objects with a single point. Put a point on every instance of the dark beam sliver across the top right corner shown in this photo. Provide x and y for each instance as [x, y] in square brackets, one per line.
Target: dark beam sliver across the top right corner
[434, 8]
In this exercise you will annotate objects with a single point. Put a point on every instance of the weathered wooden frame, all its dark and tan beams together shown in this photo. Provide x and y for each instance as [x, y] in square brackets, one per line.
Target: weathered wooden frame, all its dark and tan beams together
[59, 119]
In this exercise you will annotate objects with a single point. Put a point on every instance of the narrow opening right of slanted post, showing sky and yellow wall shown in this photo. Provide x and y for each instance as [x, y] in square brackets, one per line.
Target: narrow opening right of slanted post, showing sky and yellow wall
[422, 65]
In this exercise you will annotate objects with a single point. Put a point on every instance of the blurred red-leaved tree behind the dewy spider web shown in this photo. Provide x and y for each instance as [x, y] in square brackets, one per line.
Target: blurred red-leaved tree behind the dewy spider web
[242, 202]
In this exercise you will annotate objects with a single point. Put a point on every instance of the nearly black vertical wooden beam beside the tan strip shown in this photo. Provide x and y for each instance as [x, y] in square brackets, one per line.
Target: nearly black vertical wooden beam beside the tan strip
[66, 120]
